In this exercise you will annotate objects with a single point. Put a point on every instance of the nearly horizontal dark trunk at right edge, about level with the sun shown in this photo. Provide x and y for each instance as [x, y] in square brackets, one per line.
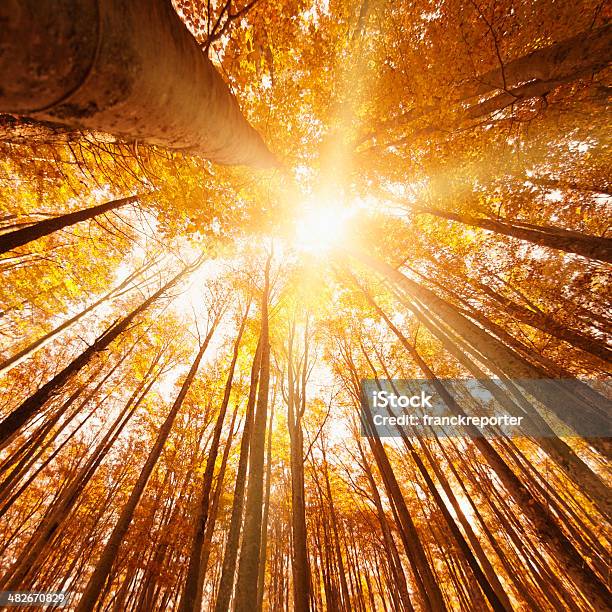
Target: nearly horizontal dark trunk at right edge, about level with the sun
[558, 238]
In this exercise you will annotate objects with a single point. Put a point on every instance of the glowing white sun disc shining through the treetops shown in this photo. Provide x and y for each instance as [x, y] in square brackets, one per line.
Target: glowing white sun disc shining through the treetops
[321, 228]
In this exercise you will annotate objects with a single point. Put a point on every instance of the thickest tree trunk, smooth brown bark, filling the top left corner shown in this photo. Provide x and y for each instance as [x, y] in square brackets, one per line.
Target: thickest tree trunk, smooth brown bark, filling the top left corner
[126, 67]
